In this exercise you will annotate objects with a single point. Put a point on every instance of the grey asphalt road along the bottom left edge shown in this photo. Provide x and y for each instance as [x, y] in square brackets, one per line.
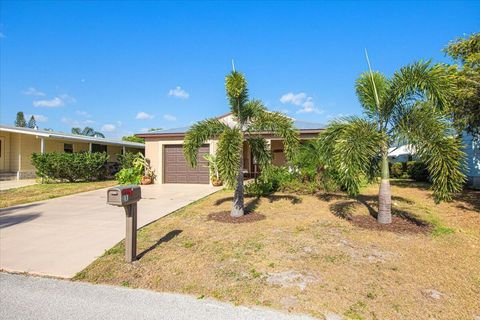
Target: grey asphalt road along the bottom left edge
[27, 297]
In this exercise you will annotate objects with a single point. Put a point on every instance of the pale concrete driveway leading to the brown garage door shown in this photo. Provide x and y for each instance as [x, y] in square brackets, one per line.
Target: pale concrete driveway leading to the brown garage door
[62, 236]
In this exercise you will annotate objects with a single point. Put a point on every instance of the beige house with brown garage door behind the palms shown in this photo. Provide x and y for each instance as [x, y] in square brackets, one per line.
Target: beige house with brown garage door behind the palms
[164, 148]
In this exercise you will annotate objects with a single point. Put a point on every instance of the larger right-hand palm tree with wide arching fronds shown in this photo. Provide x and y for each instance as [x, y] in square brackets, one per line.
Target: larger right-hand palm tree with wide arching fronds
[406, 108]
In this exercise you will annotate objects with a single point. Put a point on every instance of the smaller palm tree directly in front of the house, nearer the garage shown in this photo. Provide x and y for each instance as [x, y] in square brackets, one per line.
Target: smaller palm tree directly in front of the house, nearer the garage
[251, 119]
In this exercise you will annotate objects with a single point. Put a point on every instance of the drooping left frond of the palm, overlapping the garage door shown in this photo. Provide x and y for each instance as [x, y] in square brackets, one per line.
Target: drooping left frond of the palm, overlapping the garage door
[197, 135]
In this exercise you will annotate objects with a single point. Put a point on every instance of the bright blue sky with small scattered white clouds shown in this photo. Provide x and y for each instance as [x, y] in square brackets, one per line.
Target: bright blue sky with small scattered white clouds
[121, 67]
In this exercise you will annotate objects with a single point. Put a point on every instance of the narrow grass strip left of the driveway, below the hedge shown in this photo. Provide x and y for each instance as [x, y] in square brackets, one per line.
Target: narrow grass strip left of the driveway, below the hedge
[39, 192]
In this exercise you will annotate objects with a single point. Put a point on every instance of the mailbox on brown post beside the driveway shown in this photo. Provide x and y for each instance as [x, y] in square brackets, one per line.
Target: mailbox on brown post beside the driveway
[127, 197]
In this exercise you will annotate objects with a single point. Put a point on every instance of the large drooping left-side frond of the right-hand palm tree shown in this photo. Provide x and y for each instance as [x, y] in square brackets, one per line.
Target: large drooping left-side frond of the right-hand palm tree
[348, 147]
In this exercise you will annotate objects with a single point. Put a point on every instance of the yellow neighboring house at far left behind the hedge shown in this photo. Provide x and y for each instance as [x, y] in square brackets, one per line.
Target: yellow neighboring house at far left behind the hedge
[18, 144]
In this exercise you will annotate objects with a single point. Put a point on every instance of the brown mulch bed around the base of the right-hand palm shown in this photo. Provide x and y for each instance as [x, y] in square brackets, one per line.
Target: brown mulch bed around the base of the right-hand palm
[398, 225]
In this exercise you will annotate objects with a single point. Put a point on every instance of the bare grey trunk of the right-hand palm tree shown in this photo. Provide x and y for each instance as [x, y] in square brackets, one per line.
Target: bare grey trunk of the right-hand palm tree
[385, 194]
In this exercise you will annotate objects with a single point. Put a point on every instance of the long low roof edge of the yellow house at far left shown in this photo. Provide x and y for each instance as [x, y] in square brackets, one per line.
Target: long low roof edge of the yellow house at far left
[70, 136]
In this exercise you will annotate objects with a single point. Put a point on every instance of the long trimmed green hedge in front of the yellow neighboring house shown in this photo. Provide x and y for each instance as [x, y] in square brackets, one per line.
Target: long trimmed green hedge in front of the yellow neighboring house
[81, 166]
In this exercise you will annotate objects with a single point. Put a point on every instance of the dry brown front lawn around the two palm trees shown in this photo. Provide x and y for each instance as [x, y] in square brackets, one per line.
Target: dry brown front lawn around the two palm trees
[304, 258]
